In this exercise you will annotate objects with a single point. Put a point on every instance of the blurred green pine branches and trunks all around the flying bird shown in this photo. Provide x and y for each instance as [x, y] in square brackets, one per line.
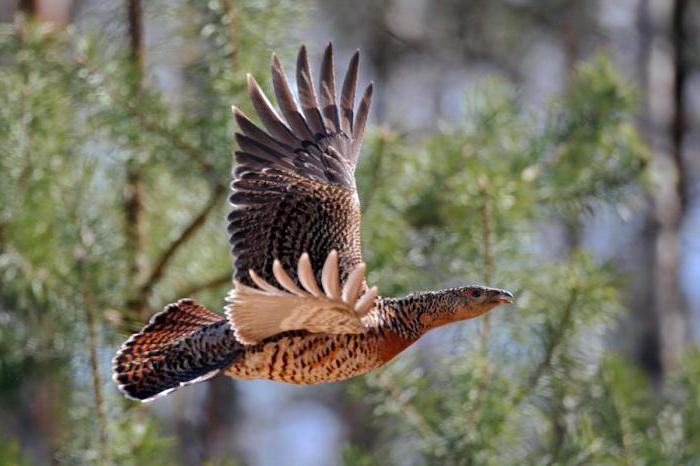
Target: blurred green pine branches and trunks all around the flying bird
[549, 147]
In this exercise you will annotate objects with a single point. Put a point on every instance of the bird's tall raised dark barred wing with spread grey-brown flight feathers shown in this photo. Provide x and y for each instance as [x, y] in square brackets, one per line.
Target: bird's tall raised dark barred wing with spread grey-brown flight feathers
[294, 186]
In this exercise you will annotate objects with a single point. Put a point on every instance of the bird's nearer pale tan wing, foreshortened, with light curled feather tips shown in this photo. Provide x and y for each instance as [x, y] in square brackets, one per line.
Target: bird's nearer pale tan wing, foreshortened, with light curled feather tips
[262, 311]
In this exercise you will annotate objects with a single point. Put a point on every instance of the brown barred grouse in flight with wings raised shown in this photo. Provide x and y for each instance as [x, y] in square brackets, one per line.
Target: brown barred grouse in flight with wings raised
[300, 310]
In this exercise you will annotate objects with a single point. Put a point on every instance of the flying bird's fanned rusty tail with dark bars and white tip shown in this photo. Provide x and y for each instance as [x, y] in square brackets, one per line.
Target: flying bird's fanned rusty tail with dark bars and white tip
[184, 344]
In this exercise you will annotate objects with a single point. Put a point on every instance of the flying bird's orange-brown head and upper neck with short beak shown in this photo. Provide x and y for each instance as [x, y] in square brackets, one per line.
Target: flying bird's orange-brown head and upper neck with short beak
[464, 303]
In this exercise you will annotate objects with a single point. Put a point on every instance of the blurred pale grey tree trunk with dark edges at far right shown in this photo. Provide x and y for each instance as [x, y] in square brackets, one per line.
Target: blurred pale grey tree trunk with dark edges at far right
[665, 76]
